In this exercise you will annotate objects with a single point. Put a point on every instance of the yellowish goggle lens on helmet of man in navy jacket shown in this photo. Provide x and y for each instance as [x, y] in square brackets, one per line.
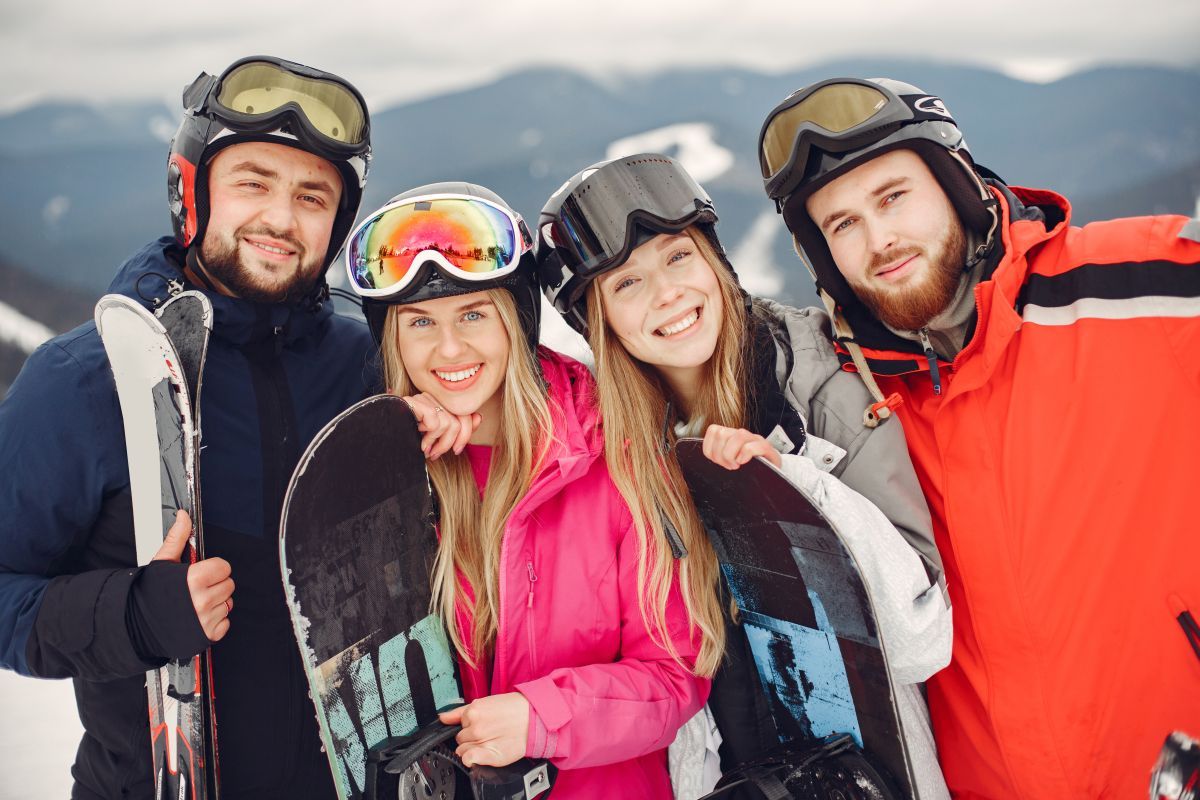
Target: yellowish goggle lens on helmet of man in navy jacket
[261, 89]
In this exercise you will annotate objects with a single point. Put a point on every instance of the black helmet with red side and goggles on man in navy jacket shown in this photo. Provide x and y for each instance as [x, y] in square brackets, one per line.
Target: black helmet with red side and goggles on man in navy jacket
[266, 99]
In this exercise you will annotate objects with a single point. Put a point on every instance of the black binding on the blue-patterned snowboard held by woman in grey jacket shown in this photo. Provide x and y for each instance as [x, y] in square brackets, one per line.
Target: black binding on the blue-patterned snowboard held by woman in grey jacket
[833, 767]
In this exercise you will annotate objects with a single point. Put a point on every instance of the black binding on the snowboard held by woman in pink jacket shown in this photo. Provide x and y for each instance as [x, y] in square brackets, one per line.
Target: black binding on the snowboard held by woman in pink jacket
[391, 761]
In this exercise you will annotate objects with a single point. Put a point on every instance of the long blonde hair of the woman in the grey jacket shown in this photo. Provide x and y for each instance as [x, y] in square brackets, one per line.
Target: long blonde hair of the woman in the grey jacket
[634, 404]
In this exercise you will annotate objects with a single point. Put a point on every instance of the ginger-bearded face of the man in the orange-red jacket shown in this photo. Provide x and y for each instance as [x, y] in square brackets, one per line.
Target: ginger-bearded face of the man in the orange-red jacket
[895, 237]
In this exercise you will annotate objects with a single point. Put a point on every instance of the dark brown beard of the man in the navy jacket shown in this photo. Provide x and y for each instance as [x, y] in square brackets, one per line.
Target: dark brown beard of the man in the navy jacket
[223, 260]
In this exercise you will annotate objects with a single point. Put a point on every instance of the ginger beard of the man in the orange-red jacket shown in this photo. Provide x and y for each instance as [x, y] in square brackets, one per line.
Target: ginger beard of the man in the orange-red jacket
[911, 308]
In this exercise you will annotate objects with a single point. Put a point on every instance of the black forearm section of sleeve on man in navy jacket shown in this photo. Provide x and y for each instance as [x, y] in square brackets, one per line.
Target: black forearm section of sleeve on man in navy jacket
[81, 629]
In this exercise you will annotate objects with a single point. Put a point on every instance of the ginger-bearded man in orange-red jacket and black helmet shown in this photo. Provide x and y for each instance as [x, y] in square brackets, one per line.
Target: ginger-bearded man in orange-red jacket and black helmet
[1043, 375]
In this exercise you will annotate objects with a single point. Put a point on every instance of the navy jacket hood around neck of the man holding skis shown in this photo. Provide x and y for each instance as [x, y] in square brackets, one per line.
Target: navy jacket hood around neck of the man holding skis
[146, 275]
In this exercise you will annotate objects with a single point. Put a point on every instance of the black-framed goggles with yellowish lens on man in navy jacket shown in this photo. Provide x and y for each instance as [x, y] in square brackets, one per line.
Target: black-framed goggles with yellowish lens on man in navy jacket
[263, 94]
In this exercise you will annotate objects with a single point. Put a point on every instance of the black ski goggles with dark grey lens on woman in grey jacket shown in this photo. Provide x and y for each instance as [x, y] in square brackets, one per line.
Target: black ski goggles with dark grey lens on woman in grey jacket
[596, 226]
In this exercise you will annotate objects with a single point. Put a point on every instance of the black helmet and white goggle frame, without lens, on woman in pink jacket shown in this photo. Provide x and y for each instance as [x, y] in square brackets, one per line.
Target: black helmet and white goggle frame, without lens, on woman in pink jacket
[431, 281]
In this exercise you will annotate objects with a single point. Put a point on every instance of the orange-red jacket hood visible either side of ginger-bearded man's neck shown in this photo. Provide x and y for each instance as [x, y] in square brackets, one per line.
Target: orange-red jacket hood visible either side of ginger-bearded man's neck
[1029, 218]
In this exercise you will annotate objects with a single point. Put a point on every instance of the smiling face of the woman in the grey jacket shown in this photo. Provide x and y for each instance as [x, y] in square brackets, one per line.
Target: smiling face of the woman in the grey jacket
[664, 304]
